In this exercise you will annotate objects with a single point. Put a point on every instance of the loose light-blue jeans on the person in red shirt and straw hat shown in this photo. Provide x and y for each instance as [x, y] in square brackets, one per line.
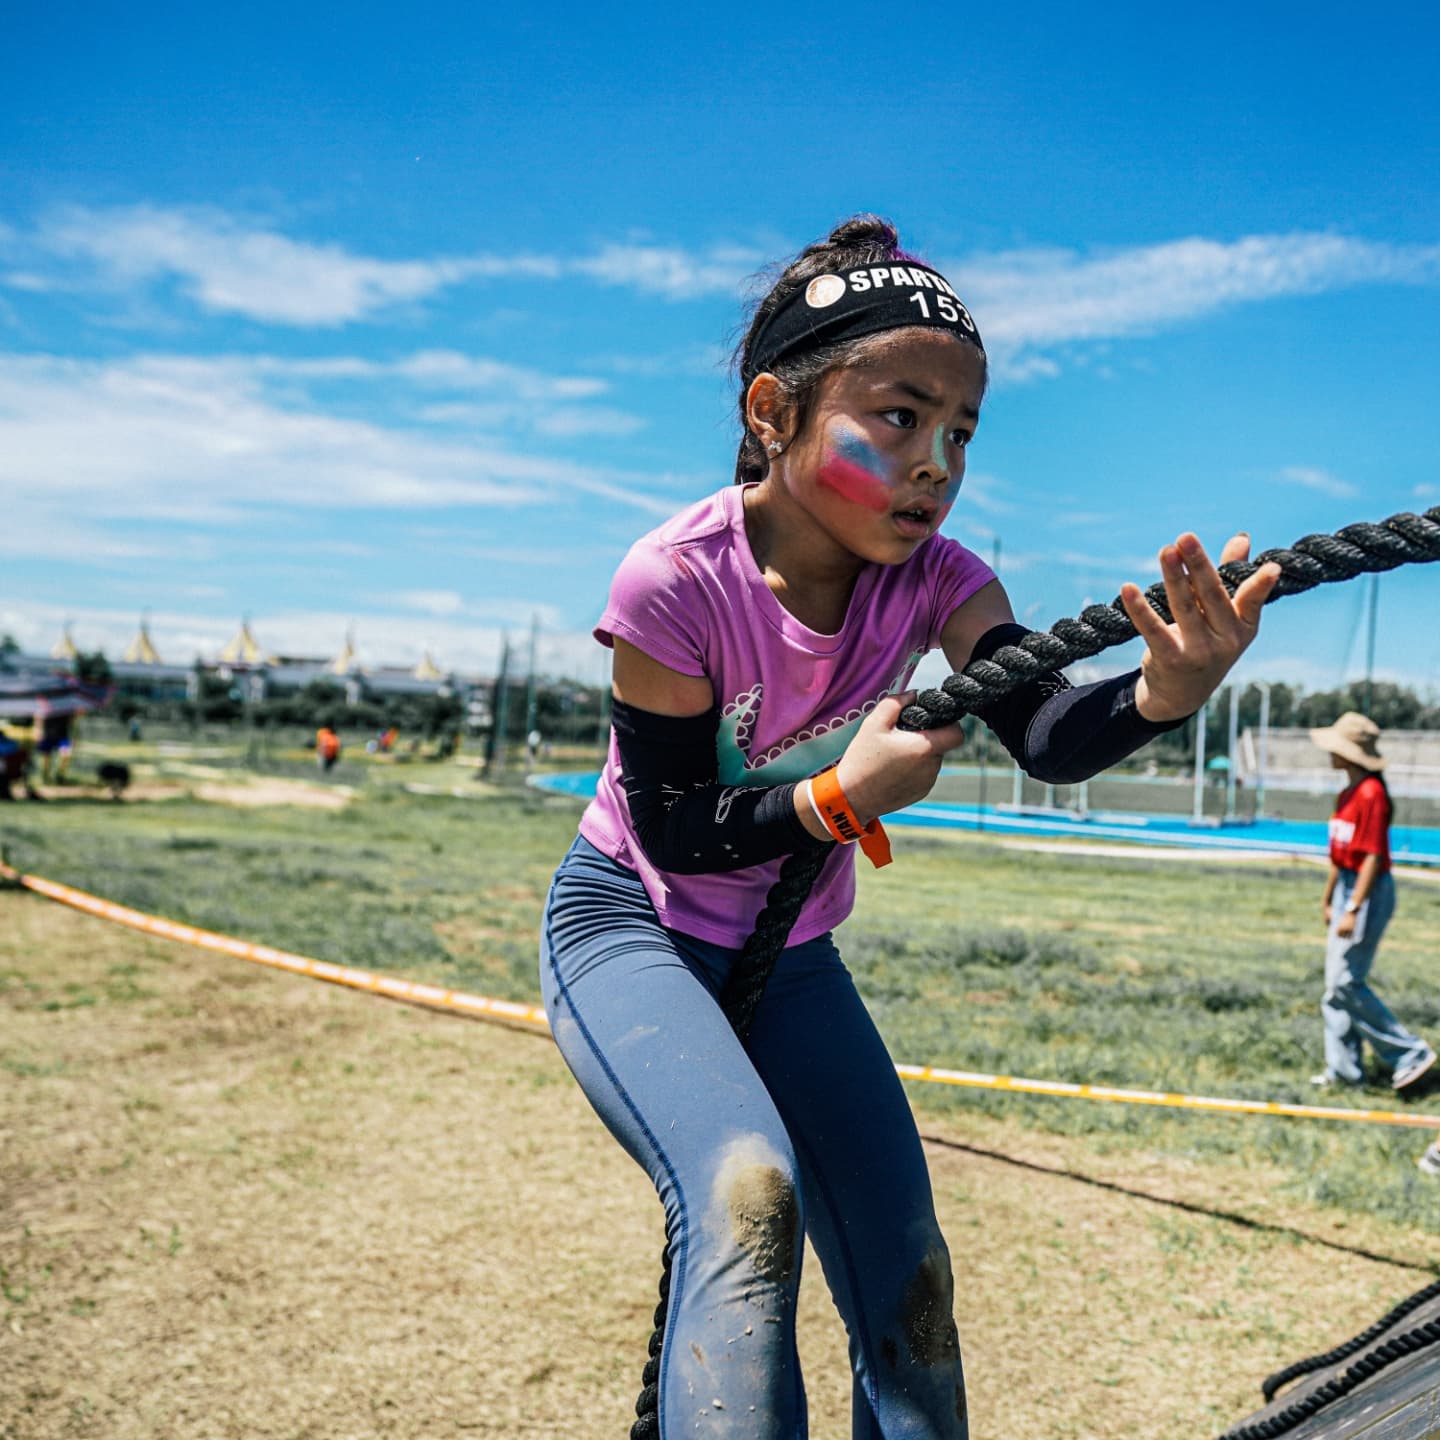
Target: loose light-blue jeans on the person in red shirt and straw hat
[1351, 1010]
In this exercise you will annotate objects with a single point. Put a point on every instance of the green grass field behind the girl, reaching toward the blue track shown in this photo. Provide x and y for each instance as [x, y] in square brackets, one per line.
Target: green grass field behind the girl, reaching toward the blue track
[1138, 973]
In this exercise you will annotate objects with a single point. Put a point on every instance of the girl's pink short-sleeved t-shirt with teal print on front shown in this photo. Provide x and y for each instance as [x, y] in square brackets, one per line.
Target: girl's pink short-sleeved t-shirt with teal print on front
[692, 597]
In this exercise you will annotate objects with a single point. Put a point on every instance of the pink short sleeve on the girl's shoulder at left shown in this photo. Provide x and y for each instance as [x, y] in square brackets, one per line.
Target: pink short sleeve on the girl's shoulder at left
[659, 607]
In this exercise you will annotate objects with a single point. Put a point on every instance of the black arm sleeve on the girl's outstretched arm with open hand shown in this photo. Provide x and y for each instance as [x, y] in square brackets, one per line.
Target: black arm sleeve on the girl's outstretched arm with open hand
[1063, 734]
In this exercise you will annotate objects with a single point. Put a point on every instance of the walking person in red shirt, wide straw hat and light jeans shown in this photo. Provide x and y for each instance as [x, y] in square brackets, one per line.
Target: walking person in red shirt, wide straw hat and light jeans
[1360, 899]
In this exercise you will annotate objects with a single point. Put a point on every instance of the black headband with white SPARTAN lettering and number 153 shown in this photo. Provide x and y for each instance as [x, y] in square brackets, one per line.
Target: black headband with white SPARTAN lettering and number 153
[855, 303]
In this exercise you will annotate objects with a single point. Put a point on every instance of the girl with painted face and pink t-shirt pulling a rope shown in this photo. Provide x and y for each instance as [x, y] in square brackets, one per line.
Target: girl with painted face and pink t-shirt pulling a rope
[764, 640]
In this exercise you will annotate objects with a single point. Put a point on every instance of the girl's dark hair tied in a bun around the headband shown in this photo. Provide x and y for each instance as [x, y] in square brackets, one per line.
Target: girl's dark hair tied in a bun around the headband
[863, 240]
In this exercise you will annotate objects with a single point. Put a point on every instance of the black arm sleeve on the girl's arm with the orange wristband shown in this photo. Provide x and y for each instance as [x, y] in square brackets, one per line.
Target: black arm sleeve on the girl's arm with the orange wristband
[685, 819]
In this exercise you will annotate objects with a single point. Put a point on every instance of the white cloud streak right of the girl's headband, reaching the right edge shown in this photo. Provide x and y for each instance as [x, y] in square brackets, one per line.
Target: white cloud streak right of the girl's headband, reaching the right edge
[1030, 300]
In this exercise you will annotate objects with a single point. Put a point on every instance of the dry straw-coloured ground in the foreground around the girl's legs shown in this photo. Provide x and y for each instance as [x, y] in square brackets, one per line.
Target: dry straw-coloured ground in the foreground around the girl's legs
[238, 1205]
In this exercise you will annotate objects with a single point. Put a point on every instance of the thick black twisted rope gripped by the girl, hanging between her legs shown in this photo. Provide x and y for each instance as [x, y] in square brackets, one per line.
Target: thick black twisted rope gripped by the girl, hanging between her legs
[1360, 549]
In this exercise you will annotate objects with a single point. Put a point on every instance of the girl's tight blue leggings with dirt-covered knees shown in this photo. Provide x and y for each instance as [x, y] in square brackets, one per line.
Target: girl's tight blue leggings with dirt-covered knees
[801, 1131]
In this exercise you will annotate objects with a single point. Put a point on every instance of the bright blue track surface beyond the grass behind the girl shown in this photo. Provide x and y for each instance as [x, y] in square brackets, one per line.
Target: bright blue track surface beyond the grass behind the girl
[1410, 846]
